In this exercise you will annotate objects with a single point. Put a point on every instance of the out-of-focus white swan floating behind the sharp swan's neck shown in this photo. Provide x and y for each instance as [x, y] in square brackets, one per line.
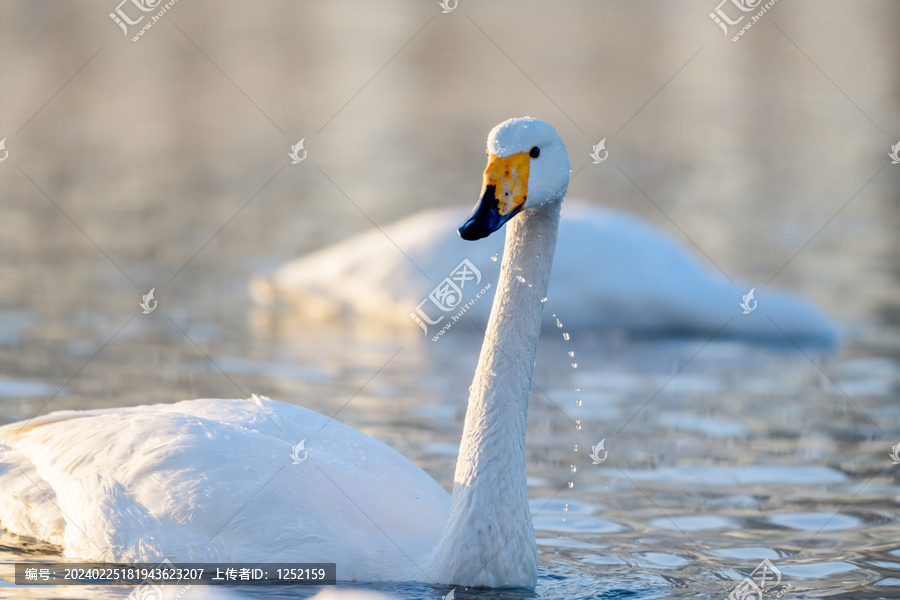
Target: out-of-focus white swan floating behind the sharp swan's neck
[614, 272]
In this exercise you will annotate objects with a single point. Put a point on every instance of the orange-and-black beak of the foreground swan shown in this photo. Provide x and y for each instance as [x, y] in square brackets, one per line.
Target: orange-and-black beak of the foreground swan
[502, 197]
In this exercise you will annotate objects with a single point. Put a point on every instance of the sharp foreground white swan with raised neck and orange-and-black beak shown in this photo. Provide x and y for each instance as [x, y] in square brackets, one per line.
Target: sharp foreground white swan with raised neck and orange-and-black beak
[258, 480]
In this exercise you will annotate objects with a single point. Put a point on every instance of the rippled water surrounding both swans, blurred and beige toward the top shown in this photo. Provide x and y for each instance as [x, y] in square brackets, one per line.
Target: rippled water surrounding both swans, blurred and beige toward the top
[163, 163]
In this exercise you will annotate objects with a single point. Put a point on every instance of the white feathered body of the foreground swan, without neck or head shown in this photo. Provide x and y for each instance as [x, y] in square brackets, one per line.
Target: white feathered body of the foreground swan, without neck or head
[213, 480]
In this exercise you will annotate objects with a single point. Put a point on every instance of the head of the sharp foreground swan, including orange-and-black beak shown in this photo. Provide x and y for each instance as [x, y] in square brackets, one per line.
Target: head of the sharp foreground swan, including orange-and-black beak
[527, 167]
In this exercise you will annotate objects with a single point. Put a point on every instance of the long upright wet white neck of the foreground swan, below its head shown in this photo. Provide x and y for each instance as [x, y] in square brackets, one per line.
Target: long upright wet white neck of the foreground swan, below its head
[490, 538]
